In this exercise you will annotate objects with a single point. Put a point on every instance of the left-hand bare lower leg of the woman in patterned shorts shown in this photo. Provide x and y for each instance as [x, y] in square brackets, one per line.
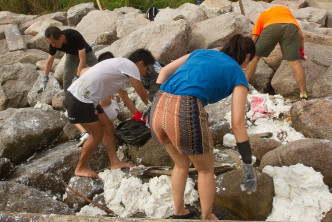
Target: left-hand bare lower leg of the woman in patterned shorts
[179, 178]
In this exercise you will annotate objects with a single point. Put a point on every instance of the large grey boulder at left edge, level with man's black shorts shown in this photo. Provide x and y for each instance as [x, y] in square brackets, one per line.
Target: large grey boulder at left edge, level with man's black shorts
[27, 130]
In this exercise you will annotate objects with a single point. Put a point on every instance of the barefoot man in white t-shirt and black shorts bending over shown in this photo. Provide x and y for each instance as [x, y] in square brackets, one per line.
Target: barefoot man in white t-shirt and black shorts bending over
[82, 98]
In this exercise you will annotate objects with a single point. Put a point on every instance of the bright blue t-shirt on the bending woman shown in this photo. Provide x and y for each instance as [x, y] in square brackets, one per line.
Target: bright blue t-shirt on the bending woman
[209, 79]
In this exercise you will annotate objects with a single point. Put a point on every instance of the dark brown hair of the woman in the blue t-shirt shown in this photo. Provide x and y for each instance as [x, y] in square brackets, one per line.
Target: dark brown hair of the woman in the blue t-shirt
[238, 47]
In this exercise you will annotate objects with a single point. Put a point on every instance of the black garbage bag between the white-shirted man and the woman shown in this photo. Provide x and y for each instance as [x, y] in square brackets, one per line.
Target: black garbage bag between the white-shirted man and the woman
[133, 132]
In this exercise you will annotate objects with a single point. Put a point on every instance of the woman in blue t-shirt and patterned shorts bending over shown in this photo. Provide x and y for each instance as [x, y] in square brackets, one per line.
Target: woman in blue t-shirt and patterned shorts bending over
[178, 119]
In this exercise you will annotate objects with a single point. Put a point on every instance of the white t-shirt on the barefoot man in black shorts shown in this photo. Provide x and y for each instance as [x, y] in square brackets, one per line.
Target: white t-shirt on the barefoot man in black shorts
[103, 79]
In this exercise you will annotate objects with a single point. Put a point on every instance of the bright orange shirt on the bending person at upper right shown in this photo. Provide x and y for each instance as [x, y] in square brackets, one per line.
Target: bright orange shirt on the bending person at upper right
[273, 15]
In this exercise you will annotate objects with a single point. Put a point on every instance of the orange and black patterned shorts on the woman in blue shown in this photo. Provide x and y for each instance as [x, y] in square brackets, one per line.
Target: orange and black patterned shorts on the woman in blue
[182, 121]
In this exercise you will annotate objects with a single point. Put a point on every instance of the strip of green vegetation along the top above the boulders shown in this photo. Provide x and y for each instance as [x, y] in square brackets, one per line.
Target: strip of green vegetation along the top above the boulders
[34, 7]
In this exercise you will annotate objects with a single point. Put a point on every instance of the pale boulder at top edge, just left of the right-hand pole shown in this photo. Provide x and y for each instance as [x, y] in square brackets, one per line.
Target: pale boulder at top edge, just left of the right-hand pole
[213, 8]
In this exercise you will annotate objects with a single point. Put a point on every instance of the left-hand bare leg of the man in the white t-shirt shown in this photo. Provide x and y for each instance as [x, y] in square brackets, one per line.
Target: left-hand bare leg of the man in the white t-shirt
[96, 133]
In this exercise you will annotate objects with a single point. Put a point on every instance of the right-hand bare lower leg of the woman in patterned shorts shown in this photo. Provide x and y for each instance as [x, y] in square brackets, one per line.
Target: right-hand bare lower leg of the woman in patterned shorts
[204, 164]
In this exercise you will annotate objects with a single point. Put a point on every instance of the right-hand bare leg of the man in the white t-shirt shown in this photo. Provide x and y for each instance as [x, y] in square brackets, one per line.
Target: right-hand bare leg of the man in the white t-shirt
[109, 142]
